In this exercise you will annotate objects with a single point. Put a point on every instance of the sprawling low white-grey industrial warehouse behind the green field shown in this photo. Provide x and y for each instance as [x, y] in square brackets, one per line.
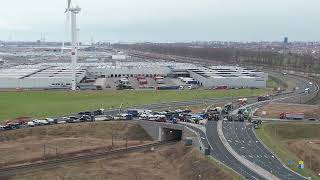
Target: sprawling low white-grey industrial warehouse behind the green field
[59, 75]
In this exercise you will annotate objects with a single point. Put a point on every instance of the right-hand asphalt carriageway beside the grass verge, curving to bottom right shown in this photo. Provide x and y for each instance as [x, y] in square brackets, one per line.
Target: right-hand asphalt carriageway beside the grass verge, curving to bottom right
[242, 139]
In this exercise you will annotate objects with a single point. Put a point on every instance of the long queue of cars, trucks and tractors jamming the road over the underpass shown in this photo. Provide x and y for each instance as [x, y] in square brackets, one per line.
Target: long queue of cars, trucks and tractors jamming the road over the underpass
[169, 116]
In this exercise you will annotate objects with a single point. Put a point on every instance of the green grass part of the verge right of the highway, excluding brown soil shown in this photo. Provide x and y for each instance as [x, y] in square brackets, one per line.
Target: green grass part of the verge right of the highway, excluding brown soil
[277, 136]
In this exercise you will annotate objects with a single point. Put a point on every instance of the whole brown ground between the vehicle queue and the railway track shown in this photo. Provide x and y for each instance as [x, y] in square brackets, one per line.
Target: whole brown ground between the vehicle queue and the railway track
[35, 144]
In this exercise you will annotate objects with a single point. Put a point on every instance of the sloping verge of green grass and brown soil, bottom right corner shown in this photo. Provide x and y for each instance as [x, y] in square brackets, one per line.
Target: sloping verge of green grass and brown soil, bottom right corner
[294, 141]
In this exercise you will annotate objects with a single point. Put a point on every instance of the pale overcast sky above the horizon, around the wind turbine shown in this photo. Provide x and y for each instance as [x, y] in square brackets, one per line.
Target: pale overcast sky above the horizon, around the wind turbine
[164, 20]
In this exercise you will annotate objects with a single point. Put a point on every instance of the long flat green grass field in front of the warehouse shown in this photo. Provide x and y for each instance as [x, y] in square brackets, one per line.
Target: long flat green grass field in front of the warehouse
[40, 104]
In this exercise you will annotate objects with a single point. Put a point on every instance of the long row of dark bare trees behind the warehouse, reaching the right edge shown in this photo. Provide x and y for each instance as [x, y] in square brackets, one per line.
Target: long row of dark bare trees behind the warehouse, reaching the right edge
[233, 56]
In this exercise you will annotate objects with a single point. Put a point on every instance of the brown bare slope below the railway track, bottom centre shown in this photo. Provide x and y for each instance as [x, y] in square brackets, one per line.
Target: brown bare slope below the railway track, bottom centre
[167, 163]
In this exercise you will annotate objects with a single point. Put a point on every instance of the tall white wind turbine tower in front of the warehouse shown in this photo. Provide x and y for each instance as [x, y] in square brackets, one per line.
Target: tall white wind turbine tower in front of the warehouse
[74, 40]
